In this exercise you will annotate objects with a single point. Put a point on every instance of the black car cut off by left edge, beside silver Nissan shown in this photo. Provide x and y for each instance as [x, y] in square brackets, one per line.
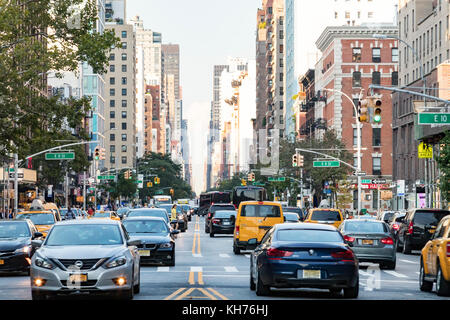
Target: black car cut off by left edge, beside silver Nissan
[15, 245]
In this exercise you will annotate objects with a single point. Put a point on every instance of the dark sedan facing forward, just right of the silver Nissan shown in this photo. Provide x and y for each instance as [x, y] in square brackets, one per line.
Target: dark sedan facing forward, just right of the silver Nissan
[157, 243]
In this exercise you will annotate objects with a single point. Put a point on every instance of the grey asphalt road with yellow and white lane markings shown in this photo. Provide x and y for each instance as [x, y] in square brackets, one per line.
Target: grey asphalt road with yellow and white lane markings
[207, 269]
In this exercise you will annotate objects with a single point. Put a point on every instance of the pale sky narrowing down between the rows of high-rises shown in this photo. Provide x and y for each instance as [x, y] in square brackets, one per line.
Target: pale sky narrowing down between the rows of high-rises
[208, 31]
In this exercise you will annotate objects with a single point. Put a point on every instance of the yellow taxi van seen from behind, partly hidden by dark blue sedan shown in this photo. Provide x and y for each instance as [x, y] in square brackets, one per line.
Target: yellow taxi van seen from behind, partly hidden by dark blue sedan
[253, 220]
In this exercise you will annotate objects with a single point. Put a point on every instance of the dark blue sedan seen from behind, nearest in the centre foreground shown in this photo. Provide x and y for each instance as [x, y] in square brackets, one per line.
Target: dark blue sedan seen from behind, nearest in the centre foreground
[296, 255]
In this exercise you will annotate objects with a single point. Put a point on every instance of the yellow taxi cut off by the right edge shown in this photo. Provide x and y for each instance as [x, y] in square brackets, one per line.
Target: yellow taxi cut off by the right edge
[435, 260]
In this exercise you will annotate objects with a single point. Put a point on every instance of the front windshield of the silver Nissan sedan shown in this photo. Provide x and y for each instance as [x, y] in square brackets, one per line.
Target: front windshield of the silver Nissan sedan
[84, 234]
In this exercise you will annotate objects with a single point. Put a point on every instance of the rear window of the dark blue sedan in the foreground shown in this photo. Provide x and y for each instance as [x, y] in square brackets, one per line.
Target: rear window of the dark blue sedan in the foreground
[309, 235]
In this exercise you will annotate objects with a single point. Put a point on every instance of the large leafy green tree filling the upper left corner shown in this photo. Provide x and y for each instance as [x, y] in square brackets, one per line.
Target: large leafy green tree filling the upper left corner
[38, 37]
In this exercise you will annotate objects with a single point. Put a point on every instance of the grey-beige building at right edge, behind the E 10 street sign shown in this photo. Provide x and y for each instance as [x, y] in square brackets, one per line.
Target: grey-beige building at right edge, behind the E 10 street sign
[424, 27]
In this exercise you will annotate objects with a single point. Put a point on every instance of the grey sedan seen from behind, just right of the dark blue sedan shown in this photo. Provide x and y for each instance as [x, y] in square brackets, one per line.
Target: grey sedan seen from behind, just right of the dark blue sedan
[371, 241]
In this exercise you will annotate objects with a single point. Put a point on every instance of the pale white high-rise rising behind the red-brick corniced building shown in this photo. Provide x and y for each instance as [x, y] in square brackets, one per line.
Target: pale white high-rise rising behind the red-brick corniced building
[305, 20]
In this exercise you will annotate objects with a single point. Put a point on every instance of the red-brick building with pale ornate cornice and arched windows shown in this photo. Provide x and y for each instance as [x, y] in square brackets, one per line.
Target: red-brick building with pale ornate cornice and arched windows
[352, 59]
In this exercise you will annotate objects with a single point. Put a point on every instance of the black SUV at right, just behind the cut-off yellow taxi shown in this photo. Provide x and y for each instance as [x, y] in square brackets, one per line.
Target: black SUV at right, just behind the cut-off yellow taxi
[417, 228]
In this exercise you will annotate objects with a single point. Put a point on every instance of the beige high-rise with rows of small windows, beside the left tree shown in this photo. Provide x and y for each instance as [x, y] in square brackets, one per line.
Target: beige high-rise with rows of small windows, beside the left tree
[121, 100]
